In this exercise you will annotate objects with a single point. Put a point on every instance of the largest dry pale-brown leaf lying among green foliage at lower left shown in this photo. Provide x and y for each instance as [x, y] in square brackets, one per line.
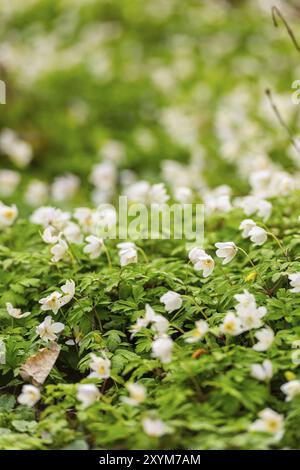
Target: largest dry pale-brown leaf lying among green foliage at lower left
[37, 367]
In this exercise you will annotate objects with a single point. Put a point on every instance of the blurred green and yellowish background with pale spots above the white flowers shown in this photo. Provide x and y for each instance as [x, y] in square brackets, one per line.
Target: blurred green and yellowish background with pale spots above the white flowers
[141, 82]
